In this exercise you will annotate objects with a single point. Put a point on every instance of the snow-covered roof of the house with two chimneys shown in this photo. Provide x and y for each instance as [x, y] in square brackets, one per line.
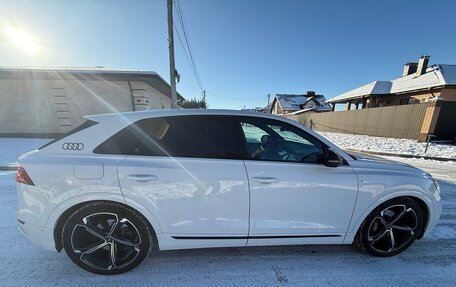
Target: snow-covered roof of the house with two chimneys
[436, 75]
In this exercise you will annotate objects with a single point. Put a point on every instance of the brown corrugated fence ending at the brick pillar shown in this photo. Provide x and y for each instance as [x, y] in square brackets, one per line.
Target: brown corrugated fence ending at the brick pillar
[403, 121]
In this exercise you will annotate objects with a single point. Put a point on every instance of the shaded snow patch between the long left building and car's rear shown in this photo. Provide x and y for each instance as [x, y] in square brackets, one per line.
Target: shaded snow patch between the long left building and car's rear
[12, 148]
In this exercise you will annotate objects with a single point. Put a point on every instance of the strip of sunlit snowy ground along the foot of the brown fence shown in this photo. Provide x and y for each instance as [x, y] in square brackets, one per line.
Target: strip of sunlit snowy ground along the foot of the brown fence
[390, 145]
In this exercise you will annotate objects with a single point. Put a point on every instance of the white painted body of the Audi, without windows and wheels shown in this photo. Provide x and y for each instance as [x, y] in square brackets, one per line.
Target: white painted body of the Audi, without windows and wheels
[238, 200]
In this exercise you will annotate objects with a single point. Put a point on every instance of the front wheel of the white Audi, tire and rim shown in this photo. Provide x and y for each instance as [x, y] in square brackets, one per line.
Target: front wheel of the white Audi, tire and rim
[391, 227]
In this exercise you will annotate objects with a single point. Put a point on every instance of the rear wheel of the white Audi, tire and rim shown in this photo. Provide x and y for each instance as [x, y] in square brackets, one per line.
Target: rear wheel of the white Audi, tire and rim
[107, 238]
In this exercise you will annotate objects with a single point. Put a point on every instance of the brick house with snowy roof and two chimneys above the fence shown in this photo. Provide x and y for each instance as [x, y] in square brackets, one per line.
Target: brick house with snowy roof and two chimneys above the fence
[418, 83]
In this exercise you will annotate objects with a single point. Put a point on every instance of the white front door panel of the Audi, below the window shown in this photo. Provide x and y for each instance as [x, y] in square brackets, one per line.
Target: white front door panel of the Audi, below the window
[303, 199]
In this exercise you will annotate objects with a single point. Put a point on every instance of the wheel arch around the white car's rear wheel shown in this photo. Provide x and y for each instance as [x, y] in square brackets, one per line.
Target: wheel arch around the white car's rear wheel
[65, 212]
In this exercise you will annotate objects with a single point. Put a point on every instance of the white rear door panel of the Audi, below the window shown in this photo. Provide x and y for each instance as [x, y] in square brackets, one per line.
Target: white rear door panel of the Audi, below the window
[195, 197]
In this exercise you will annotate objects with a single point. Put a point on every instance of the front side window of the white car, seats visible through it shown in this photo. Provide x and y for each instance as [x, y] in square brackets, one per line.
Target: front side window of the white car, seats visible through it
[273, 140]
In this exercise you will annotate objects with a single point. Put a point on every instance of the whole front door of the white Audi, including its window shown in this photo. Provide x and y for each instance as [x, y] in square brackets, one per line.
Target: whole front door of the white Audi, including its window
[293, 194]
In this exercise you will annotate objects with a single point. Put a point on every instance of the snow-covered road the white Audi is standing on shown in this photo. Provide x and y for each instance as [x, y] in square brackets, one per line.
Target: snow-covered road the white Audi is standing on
[429, 262]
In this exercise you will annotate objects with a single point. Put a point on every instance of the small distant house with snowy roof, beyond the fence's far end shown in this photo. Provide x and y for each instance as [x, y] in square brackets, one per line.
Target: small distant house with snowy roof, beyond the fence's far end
[298, 103]
